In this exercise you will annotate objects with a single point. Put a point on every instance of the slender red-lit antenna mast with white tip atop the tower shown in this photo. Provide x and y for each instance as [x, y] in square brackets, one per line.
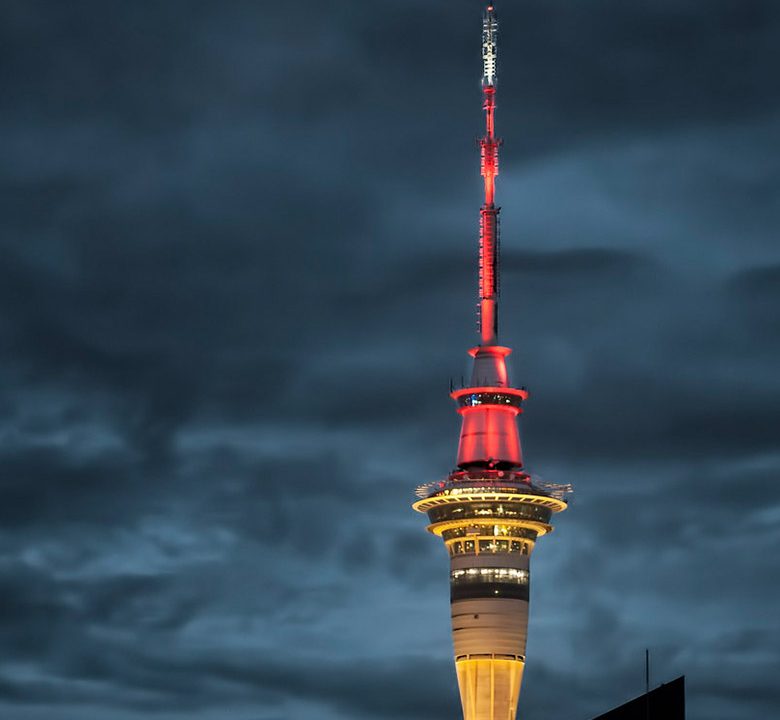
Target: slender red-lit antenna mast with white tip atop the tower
[488, 224]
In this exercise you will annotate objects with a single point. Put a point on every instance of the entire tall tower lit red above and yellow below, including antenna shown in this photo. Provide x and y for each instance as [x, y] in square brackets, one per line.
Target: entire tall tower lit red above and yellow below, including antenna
[489, 512]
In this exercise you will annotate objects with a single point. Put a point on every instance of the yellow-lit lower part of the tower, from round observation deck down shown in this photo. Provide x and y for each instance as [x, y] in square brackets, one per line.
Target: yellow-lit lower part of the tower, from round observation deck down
[489, 521]
